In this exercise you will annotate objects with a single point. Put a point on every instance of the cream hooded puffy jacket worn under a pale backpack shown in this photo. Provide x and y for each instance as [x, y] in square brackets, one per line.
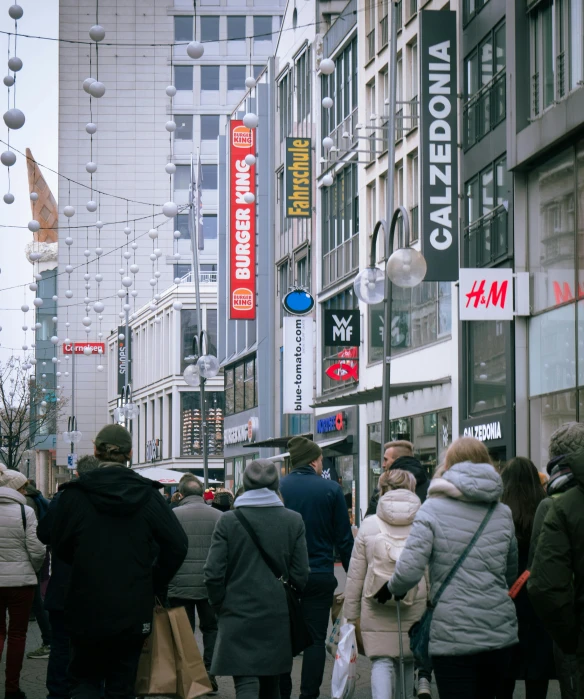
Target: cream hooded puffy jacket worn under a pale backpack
[397, 510]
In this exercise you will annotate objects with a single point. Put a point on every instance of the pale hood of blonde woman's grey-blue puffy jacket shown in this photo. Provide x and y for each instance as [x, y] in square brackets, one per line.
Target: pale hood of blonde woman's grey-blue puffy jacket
[469, 482]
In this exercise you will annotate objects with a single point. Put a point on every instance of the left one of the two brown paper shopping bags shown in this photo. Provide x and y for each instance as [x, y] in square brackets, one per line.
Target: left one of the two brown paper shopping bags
[157, 666]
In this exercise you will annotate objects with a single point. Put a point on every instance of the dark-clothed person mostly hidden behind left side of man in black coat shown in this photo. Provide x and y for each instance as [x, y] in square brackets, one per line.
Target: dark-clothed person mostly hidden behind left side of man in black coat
[58, 686]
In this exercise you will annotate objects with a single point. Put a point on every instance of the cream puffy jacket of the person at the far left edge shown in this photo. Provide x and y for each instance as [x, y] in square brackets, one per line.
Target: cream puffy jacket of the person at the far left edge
[21, 553]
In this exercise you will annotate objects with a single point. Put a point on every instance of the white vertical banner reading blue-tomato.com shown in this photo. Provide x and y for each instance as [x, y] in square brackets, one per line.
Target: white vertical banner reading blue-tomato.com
[298, 369]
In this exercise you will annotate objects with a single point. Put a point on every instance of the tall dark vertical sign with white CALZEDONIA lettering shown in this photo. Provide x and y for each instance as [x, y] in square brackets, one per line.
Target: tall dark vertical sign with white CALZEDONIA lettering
[439, 144]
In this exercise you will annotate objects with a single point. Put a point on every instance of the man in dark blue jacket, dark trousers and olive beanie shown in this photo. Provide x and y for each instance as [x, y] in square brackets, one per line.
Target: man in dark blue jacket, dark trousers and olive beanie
[324, 511]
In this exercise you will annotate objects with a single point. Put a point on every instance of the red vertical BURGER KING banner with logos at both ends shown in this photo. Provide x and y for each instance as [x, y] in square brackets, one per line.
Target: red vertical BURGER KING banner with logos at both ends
[242, 224]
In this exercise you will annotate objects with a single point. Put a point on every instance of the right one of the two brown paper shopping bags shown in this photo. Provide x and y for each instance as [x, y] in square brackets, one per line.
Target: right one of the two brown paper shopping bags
[191, 676]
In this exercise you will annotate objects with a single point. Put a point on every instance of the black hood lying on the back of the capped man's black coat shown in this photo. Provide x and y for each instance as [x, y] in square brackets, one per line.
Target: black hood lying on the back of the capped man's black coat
[115, 489]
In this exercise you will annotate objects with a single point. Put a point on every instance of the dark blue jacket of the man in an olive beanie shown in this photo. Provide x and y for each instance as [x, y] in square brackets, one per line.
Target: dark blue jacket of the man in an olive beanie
[322, 505]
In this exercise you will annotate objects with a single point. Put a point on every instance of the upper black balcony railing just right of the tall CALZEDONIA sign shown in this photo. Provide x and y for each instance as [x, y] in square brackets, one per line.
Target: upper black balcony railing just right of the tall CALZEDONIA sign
[485, 110]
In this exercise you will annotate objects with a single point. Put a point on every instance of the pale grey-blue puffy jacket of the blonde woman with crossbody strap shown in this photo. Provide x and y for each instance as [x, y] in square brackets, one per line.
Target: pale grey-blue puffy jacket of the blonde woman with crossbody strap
[475, 612]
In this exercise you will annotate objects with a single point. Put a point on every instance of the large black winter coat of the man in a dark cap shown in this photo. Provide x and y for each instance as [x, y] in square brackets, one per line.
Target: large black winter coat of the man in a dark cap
[124, 545]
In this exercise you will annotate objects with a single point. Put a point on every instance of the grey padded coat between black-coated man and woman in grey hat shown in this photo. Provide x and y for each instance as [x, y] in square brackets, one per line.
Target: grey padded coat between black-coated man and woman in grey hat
[198, 520]
